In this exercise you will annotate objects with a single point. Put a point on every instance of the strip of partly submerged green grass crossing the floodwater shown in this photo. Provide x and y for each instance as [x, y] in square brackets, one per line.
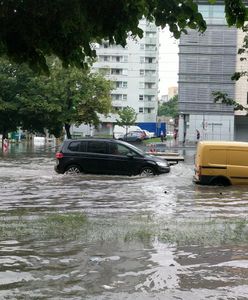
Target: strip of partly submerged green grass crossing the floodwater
[76, 226]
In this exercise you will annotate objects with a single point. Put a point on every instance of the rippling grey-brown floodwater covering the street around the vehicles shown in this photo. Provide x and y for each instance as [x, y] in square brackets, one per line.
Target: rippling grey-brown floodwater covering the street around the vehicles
[115, 237]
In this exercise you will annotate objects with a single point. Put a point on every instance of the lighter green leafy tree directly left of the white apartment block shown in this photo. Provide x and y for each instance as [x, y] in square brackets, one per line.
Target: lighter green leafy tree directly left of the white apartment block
[84, 95]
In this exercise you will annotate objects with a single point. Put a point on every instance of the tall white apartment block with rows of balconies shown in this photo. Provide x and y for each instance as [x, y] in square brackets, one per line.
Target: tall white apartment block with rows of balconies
[134, 72]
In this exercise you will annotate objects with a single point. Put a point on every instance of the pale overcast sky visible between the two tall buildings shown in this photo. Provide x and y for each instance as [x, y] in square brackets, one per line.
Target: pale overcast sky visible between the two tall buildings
[168, 61]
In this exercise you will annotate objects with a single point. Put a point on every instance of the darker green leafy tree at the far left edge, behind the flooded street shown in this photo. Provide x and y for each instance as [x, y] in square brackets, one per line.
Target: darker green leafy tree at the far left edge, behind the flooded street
[23, 100]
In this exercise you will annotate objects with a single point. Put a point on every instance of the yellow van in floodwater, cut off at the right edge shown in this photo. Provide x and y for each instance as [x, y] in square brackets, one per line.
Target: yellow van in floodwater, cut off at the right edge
[221, 163]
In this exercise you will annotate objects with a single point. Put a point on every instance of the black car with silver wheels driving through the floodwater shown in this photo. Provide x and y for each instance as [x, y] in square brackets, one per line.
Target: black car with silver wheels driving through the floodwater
[107, 156]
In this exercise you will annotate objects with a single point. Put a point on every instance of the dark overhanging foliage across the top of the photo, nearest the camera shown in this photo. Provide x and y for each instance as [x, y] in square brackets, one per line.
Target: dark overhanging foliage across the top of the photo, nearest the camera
[30, 30]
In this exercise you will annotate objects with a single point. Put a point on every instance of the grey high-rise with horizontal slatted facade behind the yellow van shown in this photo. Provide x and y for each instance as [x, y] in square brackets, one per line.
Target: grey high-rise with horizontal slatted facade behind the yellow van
[206, 64]
